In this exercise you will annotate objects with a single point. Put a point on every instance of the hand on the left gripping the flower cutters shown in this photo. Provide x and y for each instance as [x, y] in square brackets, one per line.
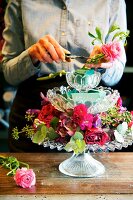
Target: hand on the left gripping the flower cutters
[47, 50]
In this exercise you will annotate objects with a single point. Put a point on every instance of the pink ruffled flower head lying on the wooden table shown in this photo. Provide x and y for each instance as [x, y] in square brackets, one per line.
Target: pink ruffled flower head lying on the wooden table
[25, 177]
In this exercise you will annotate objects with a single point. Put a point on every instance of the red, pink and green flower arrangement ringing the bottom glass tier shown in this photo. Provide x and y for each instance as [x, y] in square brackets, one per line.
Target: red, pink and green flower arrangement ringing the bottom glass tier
[75, 128]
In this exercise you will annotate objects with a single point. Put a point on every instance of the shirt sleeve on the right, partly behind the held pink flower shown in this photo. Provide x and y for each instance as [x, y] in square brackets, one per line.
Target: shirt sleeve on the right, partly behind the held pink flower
[117, 15]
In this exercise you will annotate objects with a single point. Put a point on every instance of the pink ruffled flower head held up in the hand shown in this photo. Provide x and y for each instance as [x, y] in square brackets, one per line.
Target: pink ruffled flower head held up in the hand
[111, 51]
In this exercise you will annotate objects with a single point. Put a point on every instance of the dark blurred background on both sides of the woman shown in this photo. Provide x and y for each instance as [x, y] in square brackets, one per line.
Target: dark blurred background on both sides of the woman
[7, 91]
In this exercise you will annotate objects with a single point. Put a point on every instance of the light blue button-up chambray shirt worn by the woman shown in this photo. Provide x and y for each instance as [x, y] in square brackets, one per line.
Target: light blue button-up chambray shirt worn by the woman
[69, 22]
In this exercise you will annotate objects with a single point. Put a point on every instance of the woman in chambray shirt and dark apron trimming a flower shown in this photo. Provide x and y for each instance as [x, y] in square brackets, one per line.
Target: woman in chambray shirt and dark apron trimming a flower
[38, 34]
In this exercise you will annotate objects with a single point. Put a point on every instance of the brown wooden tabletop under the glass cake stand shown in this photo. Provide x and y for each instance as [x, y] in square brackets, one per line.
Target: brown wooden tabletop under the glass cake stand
[115, 184]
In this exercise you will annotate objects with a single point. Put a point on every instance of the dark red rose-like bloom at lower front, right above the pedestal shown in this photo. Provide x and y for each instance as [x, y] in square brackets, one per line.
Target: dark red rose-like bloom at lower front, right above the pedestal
[96, 136]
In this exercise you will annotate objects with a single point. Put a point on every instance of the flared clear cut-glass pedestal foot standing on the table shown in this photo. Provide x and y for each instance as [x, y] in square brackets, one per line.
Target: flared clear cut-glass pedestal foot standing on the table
[82, 165]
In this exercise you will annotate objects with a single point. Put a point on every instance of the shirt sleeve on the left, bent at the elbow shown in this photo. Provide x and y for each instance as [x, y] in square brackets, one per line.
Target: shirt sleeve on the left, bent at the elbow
[17, 65]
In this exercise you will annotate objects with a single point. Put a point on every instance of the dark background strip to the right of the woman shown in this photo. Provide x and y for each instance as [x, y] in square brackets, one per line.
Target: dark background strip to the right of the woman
[125, 84]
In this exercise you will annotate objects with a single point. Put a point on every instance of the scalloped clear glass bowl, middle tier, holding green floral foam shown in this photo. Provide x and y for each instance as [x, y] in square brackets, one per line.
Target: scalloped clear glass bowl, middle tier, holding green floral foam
[66, 98]
